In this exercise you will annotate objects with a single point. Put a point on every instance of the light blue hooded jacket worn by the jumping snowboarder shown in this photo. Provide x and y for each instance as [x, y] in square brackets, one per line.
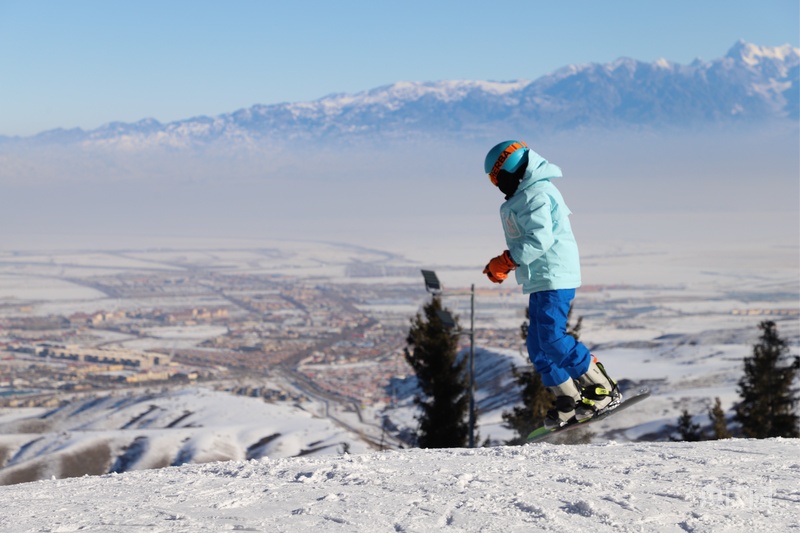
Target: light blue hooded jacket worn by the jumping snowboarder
[538, 234]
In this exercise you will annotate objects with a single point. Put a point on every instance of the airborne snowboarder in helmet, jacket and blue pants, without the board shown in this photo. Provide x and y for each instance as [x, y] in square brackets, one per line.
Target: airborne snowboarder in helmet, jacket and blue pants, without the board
[544, 255]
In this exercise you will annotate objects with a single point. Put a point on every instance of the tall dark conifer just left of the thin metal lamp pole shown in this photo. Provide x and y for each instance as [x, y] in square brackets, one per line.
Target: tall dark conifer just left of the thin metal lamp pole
[432, 353]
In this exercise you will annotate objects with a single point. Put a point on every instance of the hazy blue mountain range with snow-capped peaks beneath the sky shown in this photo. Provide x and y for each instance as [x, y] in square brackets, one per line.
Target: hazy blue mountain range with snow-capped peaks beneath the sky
[749, 84]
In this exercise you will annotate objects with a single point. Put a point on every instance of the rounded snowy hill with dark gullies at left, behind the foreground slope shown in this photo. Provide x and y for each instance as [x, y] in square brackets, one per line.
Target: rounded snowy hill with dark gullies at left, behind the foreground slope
[136, 430]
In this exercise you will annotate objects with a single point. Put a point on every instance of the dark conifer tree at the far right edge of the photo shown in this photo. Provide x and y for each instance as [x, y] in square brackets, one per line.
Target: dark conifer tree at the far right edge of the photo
[768, 400]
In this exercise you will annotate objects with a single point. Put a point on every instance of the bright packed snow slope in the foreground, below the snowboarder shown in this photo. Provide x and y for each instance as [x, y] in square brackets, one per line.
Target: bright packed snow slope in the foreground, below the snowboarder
[731, 485]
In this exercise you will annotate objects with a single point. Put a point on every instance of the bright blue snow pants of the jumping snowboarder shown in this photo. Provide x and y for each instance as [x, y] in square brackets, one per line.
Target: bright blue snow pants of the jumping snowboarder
[555, 355]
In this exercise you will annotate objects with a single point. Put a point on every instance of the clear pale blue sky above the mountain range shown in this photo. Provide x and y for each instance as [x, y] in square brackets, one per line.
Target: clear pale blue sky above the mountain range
[85, 63]
